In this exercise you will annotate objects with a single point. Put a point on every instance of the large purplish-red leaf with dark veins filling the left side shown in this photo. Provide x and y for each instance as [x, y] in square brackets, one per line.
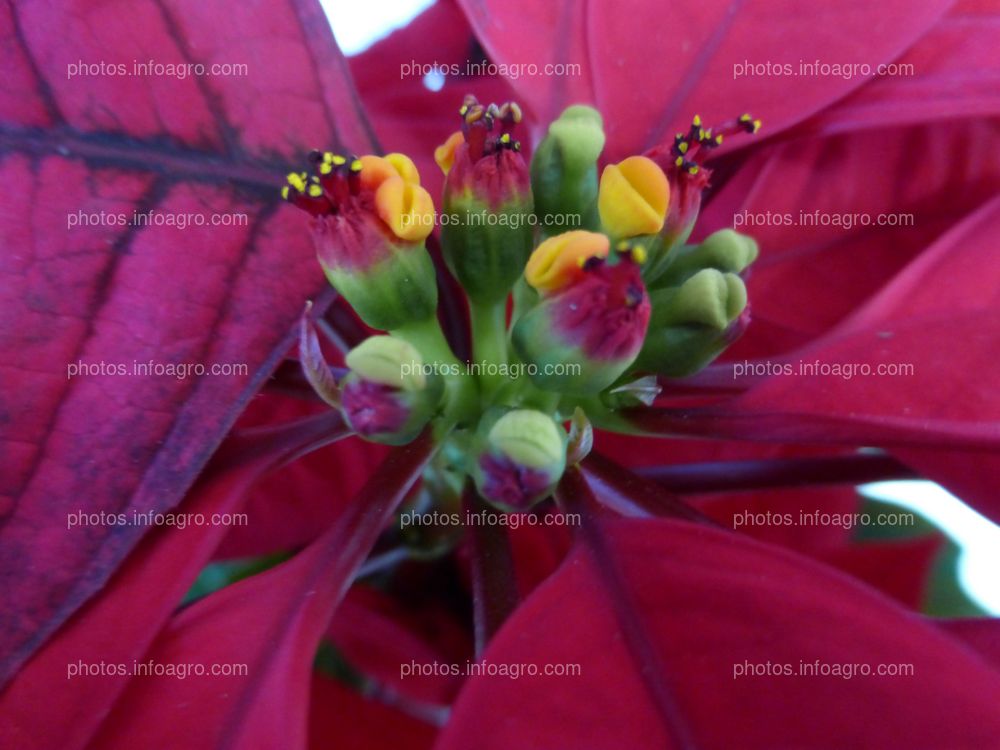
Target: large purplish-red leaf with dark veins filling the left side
[118, 294]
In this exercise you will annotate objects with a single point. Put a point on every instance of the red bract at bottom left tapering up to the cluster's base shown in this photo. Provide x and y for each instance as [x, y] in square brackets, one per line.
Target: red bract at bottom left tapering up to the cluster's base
[271, 622]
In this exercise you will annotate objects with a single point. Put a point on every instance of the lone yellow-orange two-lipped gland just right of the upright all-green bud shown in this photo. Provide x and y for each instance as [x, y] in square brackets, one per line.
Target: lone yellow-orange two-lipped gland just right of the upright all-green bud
[633, 197]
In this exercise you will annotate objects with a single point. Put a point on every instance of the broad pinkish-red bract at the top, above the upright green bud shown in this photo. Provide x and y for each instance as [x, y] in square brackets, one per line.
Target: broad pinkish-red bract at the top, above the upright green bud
[688, 53]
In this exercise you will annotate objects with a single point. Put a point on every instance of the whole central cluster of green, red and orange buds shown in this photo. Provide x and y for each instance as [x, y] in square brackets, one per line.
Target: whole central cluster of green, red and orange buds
[617, 300]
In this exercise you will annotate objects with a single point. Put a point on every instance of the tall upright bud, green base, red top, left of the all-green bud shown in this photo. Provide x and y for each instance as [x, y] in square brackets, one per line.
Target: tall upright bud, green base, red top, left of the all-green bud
[487, 210]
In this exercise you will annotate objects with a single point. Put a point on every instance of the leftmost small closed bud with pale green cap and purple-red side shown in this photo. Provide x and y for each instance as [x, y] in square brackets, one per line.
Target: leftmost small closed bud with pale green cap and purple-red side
[388, 396]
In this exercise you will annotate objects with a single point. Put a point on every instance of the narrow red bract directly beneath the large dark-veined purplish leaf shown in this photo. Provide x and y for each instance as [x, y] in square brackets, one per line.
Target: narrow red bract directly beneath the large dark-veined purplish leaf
[119, 624]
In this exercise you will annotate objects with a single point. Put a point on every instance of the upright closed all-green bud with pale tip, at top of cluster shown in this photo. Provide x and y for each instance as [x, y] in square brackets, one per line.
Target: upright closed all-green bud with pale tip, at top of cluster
[564, 170]
